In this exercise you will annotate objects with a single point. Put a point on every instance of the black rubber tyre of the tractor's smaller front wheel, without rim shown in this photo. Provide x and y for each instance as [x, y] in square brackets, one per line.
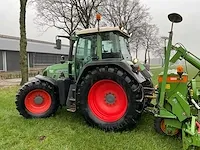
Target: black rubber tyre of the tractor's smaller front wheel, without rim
[29, 87]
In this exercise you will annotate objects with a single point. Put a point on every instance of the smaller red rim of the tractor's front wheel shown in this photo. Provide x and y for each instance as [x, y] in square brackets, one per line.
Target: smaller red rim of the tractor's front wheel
[43, 104]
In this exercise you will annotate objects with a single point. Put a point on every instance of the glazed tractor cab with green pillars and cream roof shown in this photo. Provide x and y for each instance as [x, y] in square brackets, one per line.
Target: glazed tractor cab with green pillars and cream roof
[107, 43]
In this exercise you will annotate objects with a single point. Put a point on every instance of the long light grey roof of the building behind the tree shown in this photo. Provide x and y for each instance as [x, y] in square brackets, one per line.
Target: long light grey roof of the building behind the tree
[11, 43]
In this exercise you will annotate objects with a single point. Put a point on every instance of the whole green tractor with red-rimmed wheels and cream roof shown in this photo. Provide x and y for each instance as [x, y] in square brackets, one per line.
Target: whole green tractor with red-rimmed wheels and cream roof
[101, 81]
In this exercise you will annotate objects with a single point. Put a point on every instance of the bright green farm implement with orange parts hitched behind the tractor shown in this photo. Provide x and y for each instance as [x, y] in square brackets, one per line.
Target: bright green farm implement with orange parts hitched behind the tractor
[177, 110]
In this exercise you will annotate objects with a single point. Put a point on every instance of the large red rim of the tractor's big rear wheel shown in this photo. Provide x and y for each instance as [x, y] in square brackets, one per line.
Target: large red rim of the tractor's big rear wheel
[107, 100]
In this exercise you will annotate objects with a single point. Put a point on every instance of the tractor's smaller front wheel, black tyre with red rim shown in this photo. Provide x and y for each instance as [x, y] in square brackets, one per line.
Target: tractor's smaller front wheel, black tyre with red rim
[36, 99]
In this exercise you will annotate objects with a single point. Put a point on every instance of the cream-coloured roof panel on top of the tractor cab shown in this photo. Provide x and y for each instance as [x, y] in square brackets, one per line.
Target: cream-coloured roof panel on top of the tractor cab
[102, 29]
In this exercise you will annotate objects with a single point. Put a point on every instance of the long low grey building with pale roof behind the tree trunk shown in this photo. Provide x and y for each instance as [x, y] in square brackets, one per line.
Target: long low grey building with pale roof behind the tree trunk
[40, 53]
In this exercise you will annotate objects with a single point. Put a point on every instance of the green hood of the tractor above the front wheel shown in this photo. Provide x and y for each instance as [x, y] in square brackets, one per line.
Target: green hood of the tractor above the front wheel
[55, 70]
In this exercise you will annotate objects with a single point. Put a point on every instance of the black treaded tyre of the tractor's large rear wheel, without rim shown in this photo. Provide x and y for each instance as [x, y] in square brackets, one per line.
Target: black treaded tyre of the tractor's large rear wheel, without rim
[133, 90]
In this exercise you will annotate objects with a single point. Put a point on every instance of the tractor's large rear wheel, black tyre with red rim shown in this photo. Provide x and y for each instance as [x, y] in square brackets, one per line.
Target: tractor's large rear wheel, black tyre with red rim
[110, 99]
